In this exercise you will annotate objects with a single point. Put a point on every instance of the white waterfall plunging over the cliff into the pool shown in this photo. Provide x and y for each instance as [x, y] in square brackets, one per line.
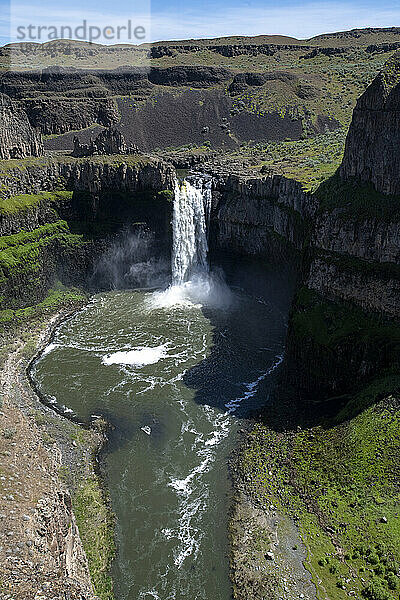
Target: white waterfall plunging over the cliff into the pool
[192, 207]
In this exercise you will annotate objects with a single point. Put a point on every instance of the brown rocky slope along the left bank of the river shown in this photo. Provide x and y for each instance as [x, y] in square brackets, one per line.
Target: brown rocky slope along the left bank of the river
[43, 469]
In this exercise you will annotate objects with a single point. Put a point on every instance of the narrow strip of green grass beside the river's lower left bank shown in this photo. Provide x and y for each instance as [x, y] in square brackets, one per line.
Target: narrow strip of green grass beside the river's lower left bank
[97, 533]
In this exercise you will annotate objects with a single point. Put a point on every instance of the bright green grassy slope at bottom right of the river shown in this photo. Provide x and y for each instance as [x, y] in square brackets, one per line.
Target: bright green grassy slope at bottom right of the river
[339, 482]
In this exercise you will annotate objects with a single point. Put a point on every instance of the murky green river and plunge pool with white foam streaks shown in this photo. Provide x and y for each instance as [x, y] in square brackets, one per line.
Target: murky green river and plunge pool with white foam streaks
[174, 372]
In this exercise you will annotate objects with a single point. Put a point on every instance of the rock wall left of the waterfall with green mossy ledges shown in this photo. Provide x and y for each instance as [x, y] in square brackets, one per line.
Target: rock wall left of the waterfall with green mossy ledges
[57, 236]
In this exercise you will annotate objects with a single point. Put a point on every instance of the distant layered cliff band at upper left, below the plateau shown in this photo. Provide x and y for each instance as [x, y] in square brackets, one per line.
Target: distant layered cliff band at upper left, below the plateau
[58, 100]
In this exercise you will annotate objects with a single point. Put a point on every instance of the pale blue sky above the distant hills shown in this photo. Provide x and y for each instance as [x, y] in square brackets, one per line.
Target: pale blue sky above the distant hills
[178, 19]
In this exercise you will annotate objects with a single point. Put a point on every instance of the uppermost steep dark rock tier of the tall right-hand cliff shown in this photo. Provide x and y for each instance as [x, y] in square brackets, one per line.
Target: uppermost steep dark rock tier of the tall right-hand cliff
[372, 146]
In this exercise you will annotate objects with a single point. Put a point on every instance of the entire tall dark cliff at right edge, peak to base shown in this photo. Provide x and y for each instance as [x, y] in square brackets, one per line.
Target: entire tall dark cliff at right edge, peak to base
[344, 326]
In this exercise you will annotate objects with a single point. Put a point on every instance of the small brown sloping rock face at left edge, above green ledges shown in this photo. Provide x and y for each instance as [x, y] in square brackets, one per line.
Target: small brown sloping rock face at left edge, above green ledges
[18, 138]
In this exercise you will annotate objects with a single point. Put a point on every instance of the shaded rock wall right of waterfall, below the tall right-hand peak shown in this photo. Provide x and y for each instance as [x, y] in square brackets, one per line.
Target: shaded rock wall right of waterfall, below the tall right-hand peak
[342, 330]
